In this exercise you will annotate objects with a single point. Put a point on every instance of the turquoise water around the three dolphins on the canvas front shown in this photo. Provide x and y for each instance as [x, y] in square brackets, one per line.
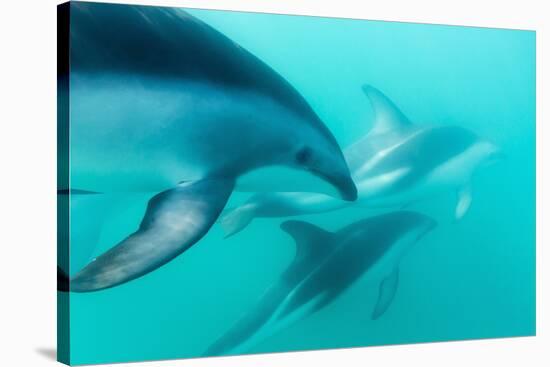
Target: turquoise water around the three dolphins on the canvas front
[473, 278]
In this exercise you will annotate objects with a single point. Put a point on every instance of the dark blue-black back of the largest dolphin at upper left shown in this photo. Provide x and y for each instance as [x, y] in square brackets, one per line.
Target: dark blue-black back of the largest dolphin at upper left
[168, 42]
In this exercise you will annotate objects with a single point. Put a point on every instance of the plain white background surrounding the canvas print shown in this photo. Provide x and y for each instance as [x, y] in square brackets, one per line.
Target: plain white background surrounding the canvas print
[28, 173]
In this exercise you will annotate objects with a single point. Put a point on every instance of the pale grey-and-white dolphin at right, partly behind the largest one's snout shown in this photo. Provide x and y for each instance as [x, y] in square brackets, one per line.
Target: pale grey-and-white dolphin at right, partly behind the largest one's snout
[395, 164]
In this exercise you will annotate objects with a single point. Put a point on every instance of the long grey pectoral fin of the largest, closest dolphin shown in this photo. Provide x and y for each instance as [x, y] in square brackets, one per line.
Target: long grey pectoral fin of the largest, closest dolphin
[174, 220]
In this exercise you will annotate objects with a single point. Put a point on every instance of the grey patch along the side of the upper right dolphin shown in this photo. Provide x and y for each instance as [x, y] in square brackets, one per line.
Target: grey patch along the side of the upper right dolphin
[423, 153]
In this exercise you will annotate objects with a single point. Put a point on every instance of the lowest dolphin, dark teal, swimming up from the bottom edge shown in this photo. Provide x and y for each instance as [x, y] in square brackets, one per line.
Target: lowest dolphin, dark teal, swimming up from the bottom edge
[325, 265]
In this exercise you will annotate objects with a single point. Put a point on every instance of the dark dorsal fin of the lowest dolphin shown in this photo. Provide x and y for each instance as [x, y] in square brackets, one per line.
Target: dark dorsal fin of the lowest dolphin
[309, 238]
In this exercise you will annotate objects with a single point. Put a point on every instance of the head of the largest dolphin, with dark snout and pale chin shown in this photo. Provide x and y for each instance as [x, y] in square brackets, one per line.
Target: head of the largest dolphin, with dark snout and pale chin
[299, 156]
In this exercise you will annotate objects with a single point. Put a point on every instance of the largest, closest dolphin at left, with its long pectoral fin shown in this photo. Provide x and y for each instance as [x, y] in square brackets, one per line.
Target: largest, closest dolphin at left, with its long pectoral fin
[163, 103]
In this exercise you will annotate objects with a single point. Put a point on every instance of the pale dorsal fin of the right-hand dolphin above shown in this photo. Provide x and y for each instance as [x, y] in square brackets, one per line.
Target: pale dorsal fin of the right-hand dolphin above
[387, 116]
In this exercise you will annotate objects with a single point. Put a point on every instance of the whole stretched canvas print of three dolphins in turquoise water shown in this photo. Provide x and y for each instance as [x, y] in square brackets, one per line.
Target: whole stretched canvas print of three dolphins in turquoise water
[234, 183]
